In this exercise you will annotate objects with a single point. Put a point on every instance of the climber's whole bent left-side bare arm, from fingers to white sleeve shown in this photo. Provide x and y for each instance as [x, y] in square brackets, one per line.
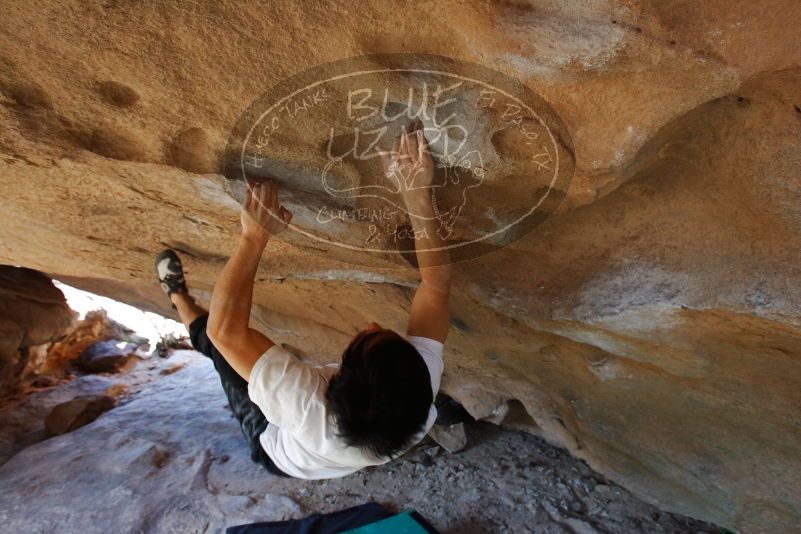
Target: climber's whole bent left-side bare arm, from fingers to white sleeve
[229, 312]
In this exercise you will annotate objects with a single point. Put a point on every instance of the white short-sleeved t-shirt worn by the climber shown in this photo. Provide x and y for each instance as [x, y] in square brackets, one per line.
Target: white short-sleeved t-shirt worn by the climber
[300, 439]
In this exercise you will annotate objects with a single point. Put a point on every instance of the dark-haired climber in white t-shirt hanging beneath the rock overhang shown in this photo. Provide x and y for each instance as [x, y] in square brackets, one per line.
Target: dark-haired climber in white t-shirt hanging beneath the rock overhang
[316, 422]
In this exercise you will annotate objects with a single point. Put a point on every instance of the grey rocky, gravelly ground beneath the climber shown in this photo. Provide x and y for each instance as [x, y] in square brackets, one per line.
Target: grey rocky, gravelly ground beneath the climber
[170, 458]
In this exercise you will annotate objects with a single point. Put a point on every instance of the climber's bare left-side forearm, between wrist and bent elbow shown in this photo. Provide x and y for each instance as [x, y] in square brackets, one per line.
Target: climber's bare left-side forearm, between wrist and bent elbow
[231, 301]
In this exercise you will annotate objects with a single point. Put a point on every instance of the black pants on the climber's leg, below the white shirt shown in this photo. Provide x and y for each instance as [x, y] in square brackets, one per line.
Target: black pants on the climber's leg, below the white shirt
[250, 418]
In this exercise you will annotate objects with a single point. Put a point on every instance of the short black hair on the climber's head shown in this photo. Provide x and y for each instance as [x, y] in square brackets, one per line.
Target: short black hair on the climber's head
[381, 395]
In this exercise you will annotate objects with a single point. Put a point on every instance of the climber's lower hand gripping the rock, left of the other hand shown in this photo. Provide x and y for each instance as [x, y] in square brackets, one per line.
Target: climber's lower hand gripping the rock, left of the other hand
[262, 217]
